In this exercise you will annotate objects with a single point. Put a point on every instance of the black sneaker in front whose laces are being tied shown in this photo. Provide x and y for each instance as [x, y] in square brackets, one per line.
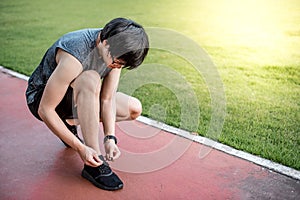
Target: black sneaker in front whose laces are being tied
[102, 177]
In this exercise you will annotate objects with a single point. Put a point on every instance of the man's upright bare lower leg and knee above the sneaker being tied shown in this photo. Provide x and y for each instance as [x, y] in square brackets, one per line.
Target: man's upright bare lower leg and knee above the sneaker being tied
[86, 89]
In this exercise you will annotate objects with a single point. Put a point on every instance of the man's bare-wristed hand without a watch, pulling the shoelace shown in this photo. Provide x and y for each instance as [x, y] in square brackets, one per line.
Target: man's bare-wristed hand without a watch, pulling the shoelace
[89, 156]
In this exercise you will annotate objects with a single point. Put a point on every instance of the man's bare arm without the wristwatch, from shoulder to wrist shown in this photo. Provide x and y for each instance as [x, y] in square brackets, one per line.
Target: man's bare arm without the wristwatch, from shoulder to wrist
[68, 69]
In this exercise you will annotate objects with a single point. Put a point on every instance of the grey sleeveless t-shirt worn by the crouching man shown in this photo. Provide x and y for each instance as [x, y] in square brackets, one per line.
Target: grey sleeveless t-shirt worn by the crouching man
[82, 45]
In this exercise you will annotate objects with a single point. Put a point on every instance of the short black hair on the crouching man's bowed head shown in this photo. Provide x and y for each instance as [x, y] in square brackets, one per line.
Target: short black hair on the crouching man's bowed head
[127, 41]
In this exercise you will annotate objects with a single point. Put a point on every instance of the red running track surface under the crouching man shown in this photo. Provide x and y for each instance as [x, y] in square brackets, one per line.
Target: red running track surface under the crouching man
[154, 164]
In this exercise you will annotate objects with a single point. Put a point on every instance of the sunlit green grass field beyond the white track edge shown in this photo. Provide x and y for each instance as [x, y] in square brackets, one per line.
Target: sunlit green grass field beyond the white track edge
[254, 44]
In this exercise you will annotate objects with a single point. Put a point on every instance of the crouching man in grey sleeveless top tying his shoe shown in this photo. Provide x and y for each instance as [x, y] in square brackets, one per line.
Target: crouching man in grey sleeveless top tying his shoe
[78, 78]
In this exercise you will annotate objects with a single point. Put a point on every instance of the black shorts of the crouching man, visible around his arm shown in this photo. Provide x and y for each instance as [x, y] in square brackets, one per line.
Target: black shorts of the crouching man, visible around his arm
[65, 108]
